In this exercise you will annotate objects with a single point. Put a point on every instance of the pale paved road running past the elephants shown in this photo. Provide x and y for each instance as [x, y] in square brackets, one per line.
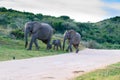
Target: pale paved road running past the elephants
[58, 67]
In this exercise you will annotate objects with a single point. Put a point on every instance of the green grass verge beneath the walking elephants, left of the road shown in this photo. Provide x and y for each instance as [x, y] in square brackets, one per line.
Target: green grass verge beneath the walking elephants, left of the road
[10, 48]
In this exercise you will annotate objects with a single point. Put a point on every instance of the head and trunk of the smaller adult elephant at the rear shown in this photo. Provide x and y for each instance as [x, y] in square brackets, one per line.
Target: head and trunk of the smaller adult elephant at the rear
[68, 35]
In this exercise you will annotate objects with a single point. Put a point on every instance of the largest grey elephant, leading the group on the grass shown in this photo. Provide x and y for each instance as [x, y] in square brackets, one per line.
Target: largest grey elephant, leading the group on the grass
[41, 31]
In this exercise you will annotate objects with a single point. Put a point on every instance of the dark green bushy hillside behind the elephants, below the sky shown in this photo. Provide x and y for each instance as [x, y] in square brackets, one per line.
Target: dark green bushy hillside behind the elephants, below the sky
[103, 34]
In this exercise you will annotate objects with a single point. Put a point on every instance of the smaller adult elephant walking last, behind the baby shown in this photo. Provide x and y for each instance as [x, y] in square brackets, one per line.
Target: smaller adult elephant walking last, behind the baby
[73, 38]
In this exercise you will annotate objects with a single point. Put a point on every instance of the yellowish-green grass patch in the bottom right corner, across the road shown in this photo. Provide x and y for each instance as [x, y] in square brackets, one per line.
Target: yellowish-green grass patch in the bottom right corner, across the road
[112, 72]
